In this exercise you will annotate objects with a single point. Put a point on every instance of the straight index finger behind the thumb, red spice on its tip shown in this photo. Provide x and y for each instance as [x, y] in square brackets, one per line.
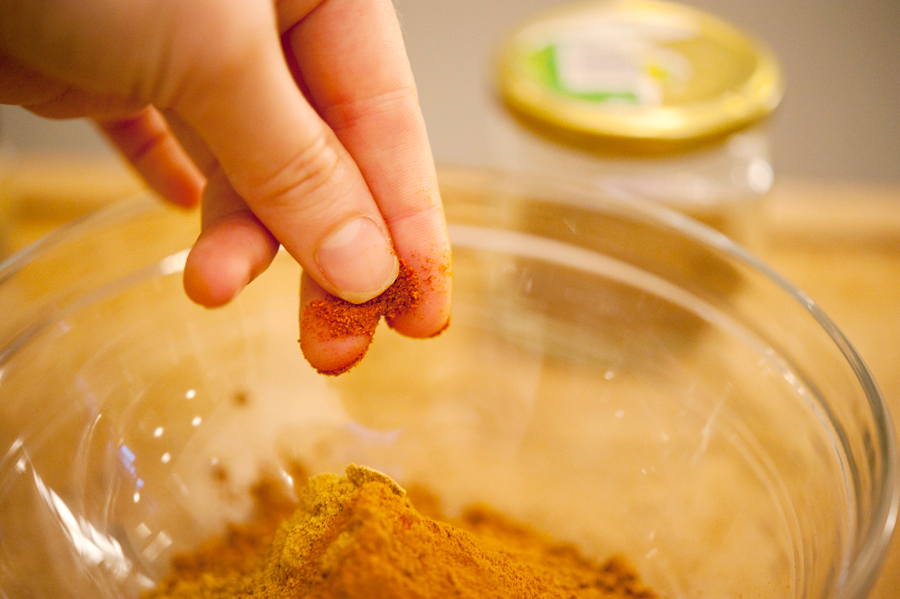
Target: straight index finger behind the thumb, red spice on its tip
[353, 64]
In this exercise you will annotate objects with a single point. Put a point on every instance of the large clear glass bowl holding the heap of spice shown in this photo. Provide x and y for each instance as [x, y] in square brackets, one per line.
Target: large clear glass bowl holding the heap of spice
[615, 375]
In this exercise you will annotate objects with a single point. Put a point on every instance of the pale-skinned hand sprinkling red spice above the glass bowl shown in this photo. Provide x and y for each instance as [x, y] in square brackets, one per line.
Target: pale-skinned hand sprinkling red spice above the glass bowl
[292, 122]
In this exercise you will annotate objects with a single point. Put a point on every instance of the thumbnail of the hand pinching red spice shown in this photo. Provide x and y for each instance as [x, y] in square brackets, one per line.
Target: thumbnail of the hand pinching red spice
[358, 260]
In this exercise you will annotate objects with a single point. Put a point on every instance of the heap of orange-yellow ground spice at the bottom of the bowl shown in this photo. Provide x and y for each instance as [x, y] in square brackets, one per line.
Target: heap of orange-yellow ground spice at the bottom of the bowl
[359, 537]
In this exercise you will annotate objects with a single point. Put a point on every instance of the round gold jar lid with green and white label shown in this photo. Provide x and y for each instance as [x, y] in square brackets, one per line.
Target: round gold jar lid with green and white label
[638, 75]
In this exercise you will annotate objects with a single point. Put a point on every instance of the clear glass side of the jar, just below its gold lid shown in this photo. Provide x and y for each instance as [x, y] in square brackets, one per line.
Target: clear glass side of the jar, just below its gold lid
[721, 183]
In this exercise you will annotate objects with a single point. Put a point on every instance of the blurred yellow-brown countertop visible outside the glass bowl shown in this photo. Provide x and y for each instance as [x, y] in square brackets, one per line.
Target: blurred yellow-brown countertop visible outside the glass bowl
[839, 242]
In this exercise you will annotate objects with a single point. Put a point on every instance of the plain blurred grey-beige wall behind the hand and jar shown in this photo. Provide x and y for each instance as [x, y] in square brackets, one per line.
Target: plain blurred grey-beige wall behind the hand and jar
[840, 119]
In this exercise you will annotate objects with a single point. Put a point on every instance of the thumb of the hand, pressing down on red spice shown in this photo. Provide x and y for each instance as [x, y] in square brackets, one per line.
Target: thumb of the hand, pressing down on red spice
[287, 165]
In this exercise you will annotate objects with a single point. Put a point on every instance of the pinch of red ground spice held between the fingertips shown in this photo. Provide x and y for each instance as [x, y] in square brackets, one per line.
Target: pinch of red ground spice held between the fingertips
[335, 318]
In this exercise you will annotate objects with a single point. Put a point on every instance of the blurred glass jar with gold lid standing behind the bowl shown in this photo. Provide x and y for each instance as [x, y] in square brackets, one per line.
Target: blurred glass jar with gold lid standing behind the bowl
[641, 100]
